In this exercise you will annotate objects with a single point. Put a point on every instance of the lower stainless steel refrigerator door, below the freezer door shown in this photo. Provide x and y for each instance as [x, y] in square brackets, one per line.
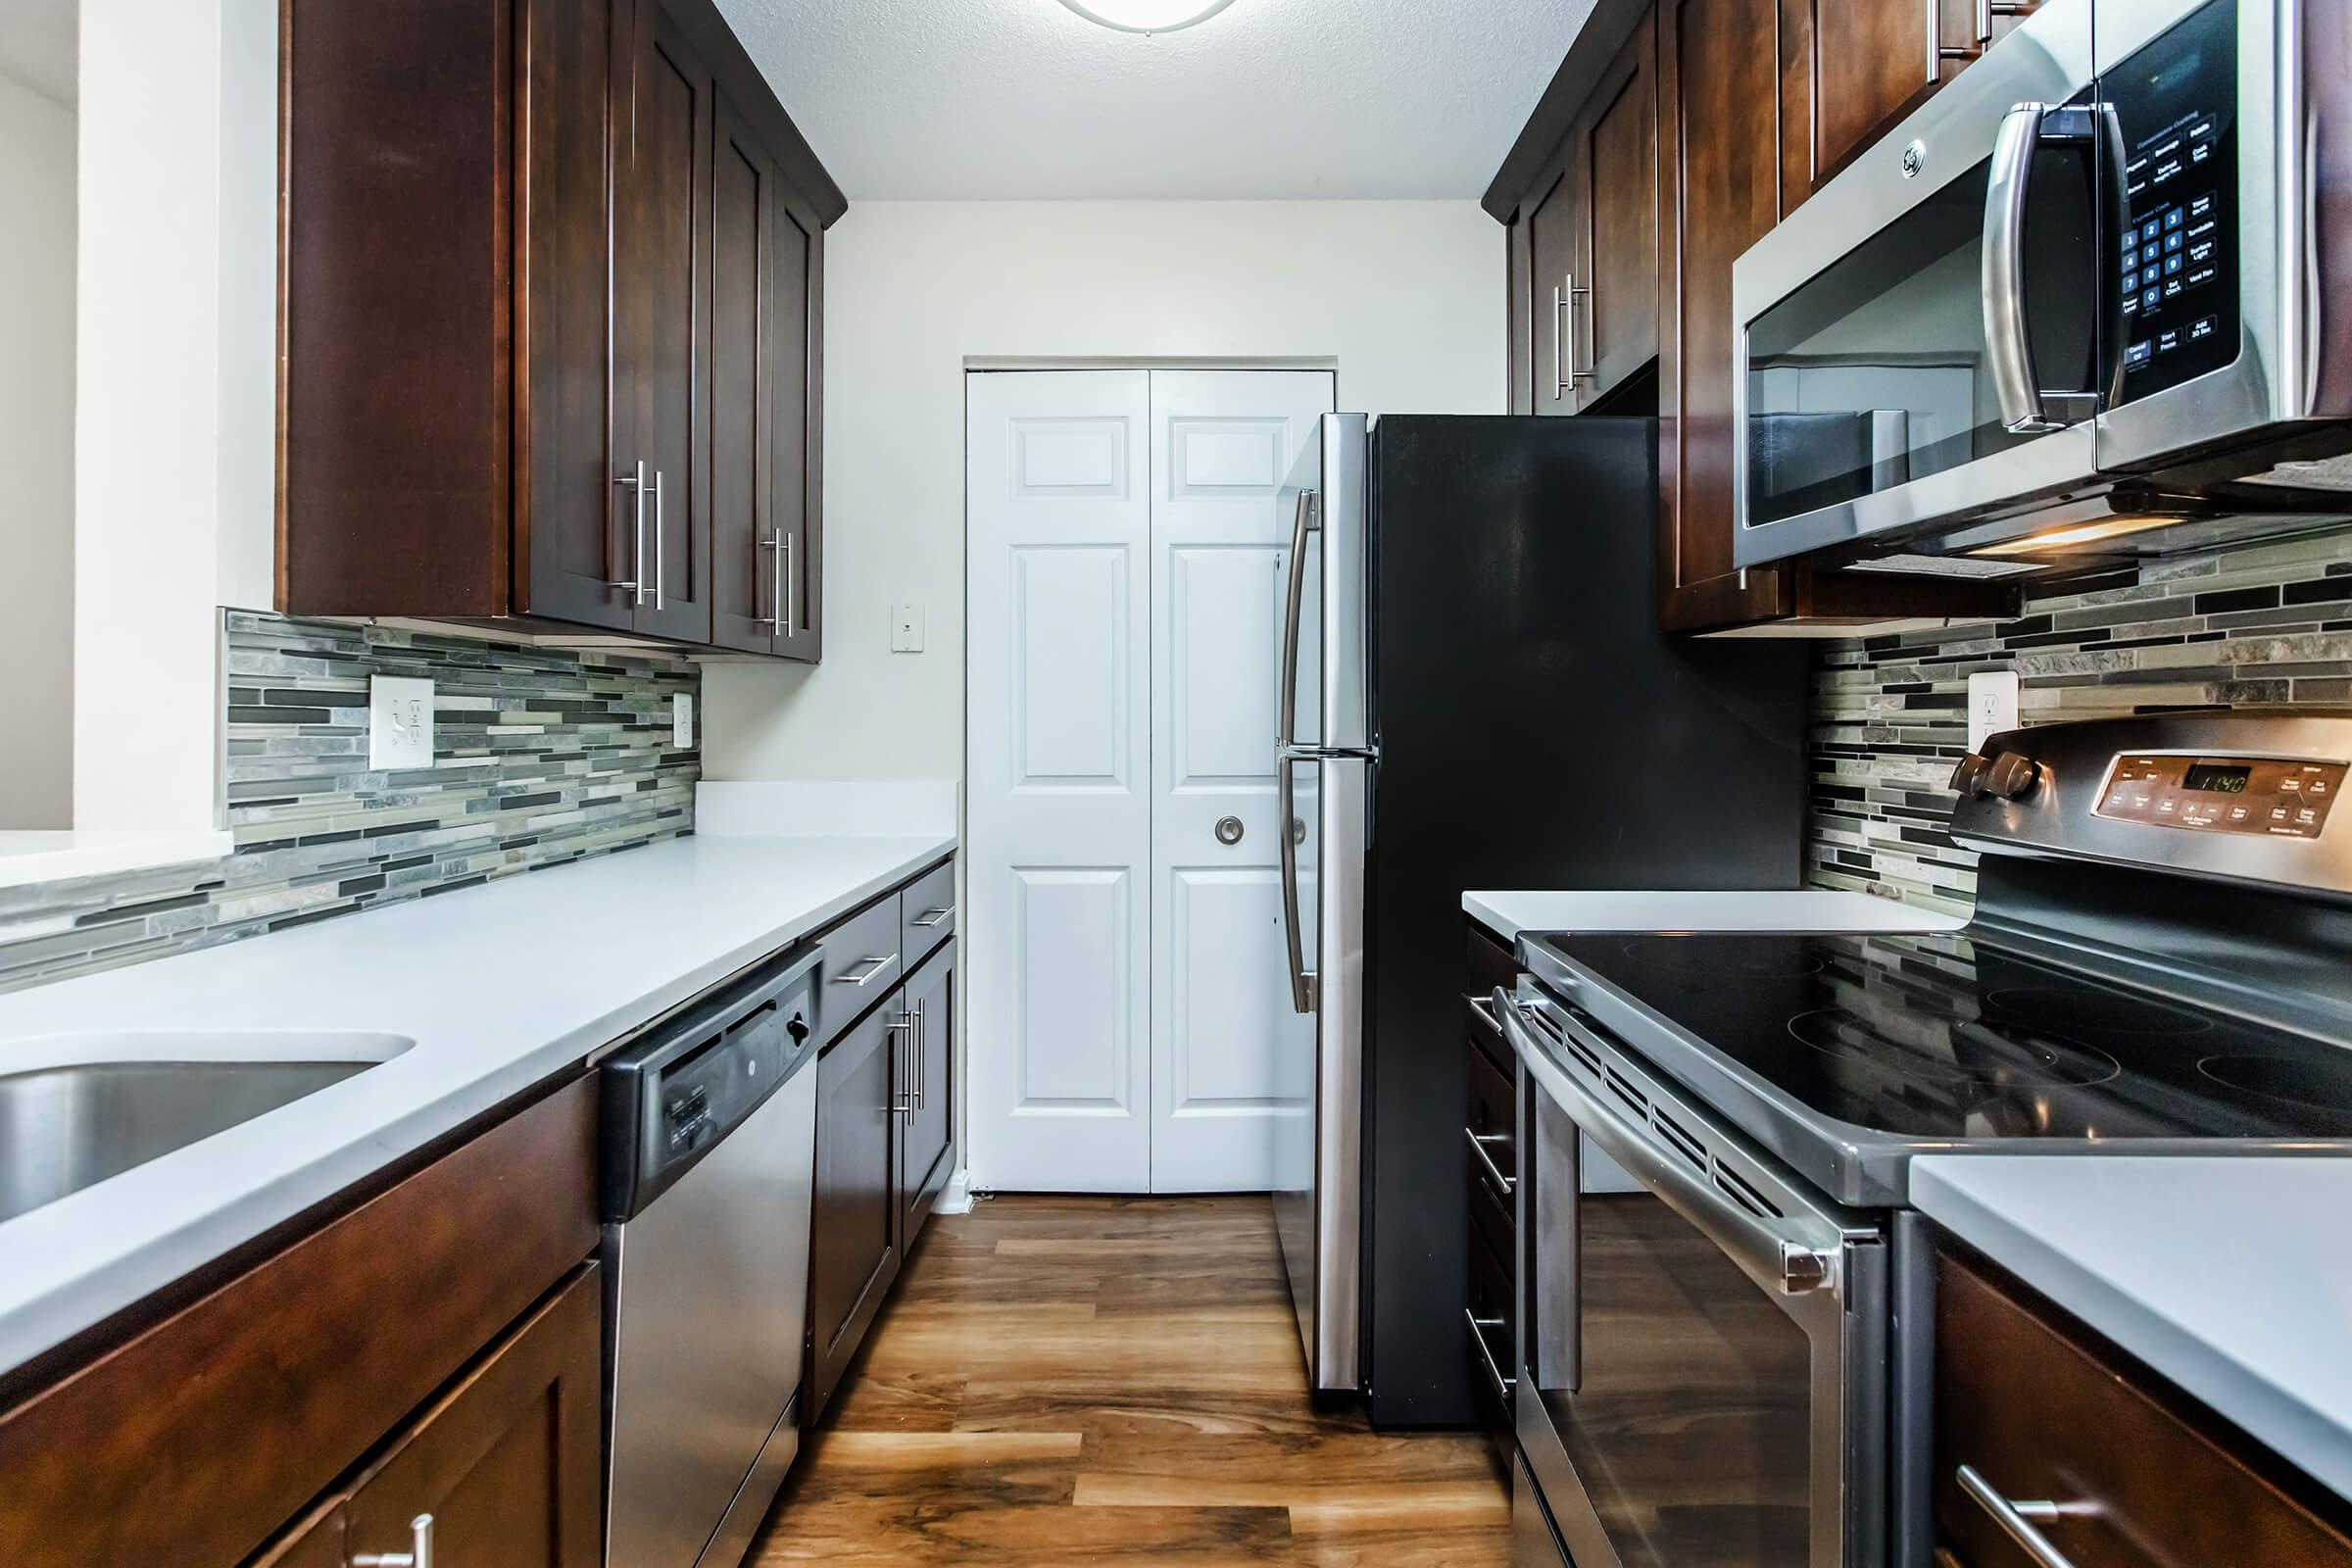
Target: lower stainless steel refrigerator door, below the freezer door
[1321, 1158]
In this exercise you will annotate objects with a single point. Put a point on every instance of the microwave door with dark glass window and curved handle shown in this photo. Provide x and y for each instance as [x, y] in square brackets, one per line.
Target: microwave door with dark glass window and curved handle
[1925, 342]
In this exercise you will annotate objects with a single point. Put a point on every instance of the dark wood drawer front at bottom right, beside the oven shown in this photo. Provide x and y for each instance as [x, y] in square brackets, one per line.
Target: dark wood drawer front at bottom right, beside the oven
[2040, 1412]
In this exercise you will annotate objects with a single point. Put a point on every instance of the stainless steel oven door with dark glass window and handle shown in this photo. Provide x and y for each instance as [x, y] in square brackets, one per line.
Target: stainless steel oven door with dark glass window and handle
[1702, 1358]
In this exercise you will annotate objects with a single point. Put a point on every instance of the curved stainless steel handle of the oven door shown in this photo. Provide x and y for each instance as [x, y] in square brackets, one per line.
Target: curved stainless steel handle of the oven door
[1791, 1257]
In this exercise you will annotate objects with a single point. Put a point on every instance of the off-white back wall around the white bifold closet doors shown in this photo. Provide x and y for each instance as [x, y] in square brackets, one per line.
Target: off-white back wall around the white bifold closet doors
[1405, 297]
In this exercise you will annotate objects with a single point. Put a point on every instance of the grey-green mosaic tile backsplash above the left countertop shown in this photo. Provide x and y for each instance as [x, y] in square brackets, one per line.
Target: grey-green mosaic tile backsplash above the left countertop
[540, 758]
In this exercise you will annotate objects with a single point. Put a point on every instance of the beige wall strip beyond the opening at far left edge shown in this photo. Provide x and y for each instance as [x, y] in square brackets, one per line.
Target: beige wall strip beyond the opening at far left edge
[36, 438]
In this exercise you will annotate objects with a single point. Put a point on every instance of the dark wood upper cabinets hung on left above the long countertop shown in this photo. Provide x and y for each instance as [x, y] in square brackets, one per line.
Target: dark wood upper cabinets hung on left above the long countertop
[502, 321]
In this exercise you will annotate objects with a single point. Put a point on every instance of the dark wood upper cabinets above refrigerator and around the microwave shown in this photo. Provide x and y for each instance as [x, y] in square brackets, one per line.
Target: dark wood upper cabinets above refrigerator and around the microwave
[1657, 156]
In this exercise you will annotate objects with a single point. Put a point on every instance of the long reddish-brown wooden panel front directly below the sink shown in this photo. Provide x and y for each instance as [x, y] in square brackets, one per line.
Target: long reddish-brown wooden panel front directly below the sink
[201, 1438]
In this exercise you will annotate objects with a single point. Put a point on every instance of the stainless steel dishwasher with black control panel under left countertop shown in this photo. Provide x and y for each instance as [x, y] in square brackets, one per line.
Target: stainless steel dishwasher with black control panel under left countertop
[709, 1146]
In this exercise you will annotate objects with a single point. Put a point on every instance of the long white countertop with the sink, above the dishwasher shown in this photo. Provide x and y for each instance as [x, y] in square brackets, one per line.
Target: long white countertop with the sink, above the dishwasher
[497, 989]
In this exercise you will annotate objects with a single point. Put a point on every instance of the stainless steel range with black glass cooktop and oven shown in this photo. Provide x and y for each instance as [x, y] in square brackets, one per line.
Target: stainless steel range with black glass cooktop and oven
[1716, 1132]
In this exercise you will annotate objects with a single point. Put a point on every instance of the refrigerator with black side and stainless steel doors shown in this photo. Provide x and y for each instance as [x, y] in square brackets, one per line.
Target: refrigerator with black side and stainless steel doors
[1476, 695]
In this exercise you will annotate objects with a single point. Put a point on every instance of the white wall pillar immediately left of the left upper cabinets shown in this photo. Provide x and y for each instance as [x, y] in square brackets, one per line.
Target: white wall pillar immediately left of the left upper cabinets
[175, 391]
